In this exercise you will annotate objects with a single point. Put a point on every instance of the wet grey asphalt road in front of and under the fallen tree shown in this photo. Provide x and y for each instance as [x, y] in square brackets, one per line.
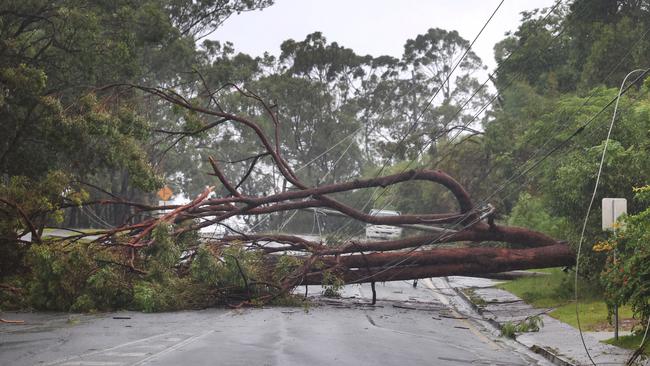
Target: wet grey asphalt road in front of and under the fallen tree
[407, 327]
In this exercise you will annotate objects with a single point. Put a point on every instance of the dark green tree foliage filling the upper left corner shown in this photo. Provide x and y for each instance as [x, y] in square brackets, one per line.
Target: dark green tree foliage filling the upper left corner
[53, 54]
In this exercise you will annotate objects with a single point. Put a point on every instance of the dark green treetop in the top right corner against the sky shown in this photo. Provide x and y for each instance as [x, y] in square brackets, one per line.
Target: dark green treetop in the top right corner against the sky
[576, 46]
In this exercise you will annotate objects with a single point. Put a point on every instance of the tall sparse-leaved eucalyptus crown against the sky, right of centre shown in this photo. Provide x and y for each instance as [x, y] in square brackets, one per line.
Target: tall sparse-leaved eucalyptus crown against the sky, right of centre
[435, 92]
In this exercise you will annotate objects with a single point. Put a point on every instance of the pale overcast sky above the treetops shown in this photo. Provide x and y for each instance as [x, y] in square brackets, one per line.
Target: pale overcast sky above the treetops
[375, 27]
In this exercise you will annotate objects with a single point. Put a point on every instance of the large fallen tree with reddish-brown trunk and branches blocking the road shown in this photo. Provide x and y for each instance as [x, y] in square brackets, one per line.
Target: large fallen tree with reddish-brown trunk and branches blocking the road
[264, 267]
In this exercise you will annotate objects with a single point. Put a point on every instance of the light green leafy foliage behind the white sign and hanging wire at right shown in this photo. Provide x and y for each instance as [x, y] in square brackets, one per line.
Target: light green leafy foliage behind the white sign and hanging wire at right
[561, 185]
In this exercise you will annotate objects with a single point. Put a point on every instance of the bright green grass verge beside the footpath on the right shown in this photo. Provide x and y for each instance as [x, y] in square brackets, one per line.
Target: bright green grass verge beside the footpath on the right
[556, 290]
